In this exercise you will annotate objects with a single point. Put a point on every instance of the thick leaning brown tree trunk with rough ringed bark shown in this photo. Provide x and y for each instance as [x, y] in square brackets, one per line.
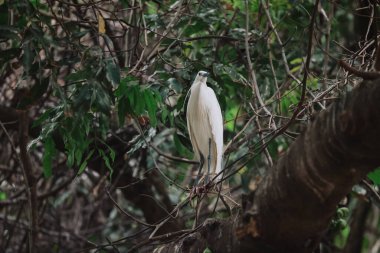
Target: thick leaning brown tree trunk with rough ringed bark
[293, 205]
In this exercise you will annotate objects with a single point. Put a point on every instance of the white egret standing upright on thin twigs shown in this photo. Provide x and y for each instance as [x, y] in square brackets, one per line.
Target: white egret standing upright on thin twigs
[205, 122]
